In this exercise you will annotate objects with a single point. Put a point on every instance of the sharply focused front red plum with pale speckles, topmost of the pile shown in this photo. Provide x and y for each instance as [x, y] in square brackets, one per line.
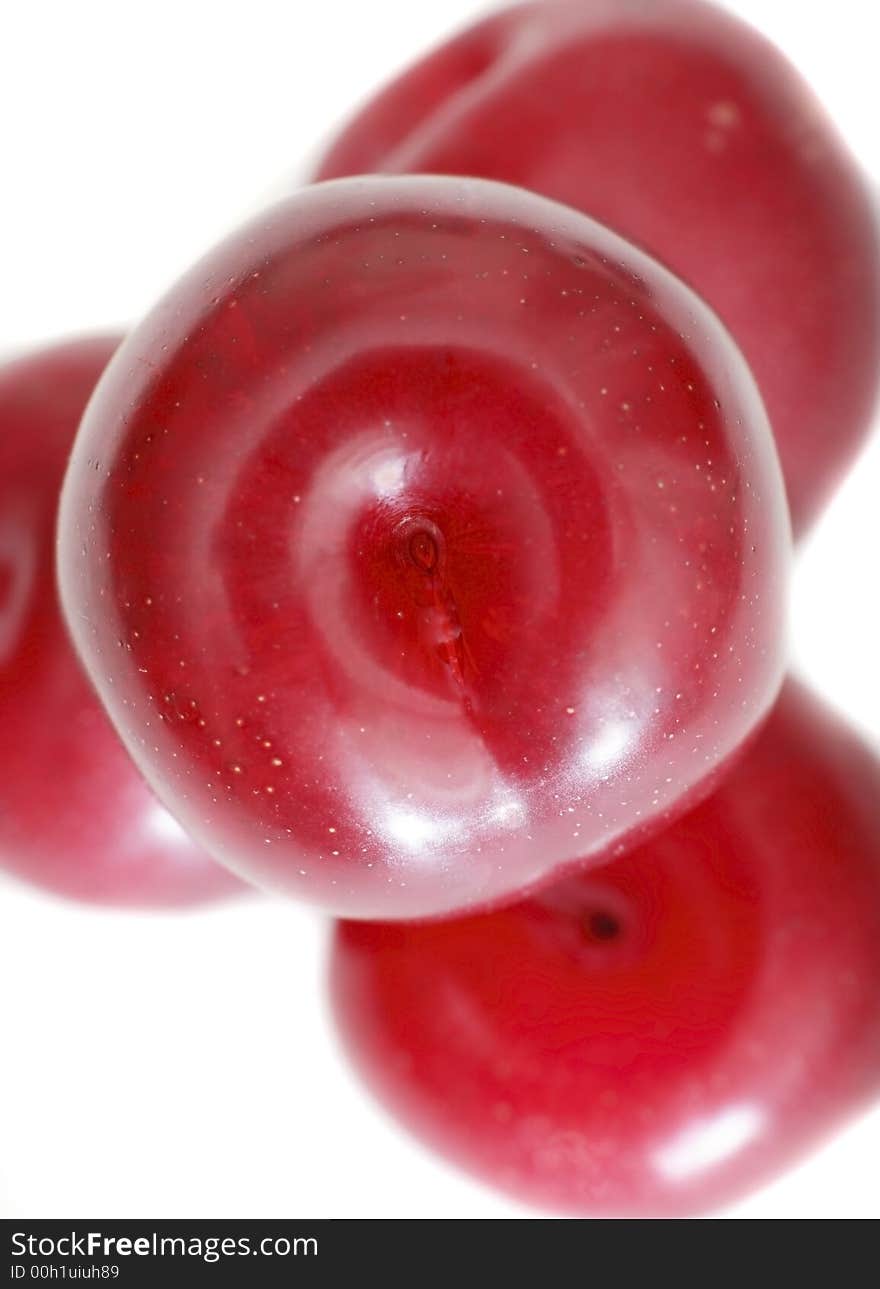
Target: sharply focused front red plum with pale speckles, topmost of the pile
[423, 539]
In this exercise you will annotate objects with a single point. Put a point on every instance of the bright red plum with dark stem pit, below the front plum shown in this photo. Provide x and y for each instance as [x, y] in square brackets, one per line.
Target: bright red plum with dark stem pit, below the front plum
[662, 1036]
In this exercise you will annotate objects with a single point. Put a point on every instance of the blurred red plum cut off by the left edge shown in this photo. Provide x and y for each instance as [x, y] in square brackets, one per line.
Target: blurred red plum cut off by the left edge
[75, 815]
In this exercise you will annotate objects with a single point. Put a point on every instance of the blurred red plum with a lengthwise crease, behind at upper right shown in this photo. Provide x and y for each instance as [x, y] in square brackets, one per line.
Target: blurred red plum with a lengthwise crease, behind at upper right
[686, 132]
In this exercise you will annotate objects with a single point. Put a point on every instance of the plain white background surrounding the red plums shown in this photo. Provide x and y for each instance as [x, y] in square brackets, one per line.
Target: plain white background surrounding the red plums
[160, 1067]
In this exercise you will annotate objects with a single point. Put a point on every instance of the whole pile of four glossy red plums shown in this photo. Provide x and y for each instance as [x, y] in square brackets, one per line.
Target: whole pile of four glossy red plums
[426, 550]
